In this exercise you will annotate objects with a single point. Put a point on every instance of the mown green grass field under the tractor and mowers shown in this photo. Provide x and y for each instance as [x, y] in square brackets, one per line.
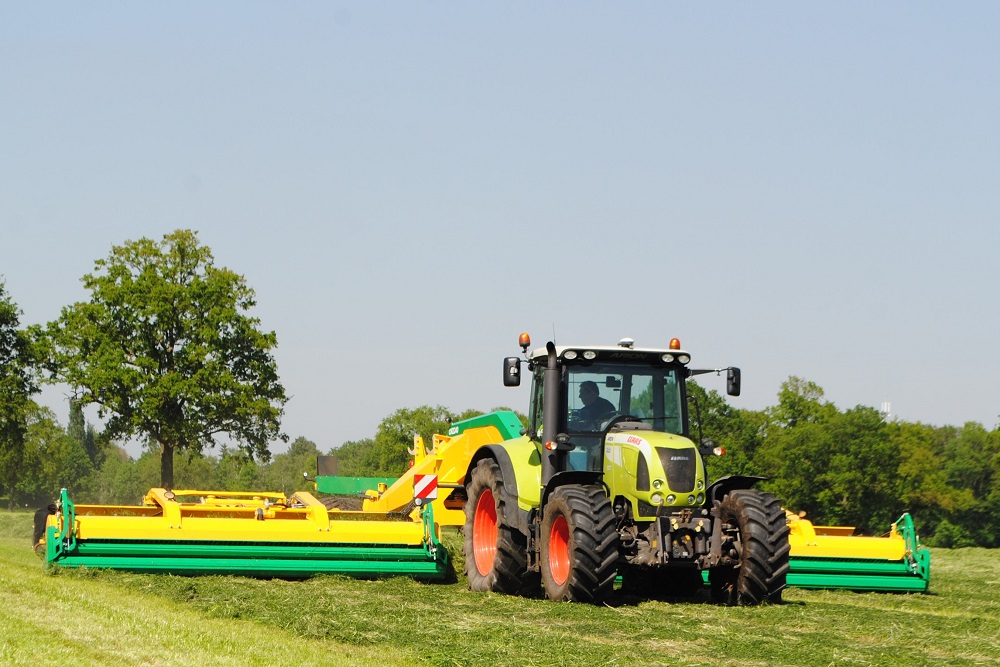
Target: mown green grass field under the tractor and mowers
[116, 618]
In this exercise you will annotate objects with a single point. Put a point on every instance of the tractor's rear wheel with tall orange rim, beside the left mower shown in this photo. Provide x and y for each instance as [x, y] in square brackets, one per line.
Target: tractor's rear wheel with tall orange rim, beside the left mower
[496, 555]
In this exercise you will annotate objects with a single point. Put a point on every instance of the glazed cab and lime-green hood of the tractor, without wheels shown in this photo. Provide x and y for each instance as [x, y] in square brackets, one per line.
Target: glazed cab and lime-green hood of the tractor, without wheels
[621, 413]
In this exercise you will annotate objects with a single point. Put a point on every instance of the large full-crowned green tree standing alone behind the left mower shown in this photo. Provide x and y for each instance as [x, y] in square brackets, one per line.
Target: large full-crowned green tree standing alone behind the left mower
[165, 348]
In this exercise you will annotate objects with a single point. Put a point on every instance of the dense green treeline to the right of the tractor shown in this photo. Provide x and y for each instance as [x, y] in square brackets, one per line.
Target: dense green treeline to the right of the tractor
[854, 467]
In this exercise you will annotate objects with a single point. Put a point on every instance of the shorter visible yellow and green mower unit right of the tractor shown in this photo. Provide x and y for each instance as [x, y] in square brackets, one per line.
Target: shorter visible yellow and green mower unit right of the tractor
[833, 557]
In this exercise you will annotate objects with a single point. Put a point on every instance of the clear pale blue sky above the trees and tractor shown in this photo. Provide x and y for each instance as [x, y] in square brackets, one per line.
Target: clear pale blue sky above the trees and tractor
[792, 188]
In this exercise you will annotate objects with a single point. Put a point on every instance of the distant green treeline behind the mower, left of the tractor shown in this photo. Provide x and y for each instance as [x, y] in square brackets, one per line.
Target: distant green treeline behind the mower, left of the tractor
[96, 470]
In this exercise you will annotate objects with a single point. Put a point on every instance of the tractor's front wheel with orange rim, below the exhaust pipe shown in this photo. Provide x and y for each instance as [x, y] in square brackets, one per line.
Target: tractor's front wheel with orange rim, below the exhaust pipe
[579, 554]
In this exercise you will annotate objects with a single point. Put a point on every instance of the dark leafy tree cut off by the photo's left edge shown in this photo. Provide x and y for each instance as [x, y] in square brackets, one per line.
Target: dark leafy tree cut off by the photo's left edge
[17, 384]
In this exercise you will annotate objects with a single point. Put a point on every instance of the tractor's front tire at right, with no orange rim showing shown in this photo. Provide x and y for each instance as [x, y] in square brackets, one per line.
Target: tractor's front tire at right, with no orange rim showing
[760, 541]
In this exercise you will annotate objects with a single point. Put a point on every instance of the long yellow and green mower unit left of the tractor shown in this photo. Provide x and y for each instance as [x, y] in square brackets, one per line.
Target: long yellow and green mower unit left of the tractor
[253, 534]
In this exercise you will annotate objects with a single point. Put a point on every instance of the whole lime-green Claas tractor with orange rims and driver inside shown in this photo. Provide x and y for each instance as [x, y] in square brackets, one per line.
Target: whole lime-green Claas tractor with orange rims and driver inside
[606, 480]
